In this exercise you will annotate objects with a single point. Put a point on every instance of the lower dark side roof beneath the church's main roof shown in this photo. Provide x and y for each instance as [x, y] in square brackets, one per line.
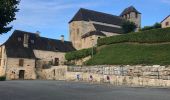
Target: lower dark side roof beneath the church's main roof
[108, 29]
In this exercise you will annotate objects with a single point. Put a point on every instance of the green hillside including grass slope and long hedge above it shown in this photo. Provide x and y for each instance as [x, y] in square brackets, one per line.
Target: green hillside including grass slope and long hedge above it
[146, 47]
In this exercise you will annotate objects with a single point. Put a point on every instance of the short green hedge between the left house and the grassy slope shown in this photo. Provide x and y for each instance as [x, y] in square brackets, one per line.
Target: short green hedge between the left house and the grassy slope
[79, 54]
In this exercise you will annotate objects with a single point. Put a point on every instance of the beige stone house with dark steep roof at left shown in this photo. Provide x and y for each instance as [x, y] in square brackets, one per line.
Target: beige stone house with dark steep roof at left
[24, 52]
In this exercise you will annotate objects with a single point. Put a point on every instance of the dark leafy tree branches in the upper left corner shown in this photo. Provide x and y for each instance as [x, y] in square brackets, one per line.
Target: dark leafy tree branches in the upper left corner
[8, 8]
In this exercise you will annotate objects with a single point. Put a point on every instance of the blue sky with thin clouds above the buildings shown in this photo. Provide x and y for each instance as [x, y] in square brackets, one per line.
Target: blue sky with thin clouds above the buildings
[51, 17]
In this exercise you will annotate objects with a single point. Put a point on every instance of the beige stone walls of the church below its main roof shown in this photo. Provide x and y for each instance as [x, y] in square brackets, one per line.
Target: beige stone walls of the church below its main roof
[78, 28]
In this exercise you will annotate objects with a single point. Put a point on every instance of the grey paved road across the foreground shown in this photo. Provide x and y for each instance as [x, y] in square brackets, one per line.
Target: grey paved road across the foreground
[60, 90]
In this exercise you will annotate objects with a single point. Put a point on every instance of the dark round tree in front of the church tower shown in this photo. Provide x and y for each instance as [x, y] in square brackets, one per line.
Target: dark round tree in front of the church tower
[128, 27]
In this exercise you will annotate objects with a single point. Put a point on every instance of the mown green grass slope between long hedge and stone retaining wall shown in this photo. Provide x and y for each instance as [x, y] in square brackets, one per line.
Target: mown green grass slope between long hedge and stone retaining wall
[132, 54]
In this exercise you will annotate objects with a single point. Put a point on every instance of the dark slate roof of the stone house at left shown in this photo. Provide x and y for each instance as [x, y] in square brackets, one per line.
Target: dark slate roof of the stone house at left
[15, 48]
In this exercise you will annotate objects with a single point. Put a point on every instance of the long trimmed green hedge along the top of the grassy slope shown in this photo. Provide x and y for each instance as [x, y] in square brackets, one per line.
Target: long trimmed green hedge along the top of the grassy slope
[149, 36]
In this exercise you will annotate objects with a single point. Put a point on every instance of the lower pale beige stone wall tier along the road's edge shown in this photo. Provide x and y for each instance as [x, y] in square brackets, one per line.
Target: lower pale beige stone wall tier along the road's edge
[117, 80]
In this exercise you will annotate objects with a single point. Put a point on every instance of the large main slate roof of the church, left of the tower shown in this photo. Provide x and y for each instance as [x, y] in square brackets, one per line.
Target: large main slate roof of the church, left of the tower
[90, 15]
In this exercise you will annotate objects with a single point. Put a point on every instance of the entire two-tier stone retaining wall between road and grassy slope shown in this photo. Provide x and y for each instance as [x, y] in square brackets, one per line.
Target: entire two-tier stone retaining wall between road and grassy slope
[116, 75]
